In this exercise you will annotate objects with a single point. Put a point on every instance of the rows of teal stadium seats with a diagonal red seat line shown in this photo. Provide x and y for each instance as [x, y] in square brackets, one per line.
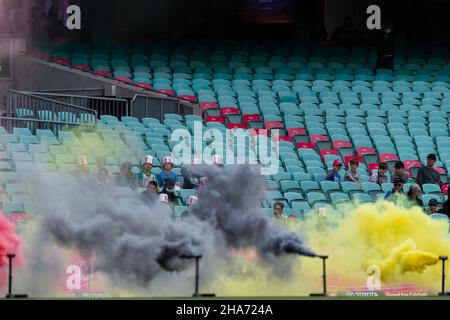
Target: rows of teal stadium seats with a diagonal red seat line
[325, 110]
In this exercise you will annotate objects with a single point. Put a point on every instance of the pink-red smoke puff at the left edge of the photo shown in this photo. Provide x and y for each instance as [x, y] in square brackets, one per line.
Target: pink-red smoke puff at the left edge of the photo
[9, 243]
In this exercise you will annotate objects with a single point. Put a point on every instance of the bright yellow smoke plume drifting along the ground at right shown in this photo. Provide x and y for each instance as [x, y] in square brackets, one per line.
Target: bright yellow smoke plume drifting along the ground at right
[403, 242]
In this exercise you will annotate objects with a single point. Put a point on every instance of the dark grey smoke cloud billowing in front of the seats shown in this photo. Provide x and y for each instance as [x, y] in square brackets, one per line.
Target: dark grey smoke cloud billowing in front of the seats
[139, 245]
